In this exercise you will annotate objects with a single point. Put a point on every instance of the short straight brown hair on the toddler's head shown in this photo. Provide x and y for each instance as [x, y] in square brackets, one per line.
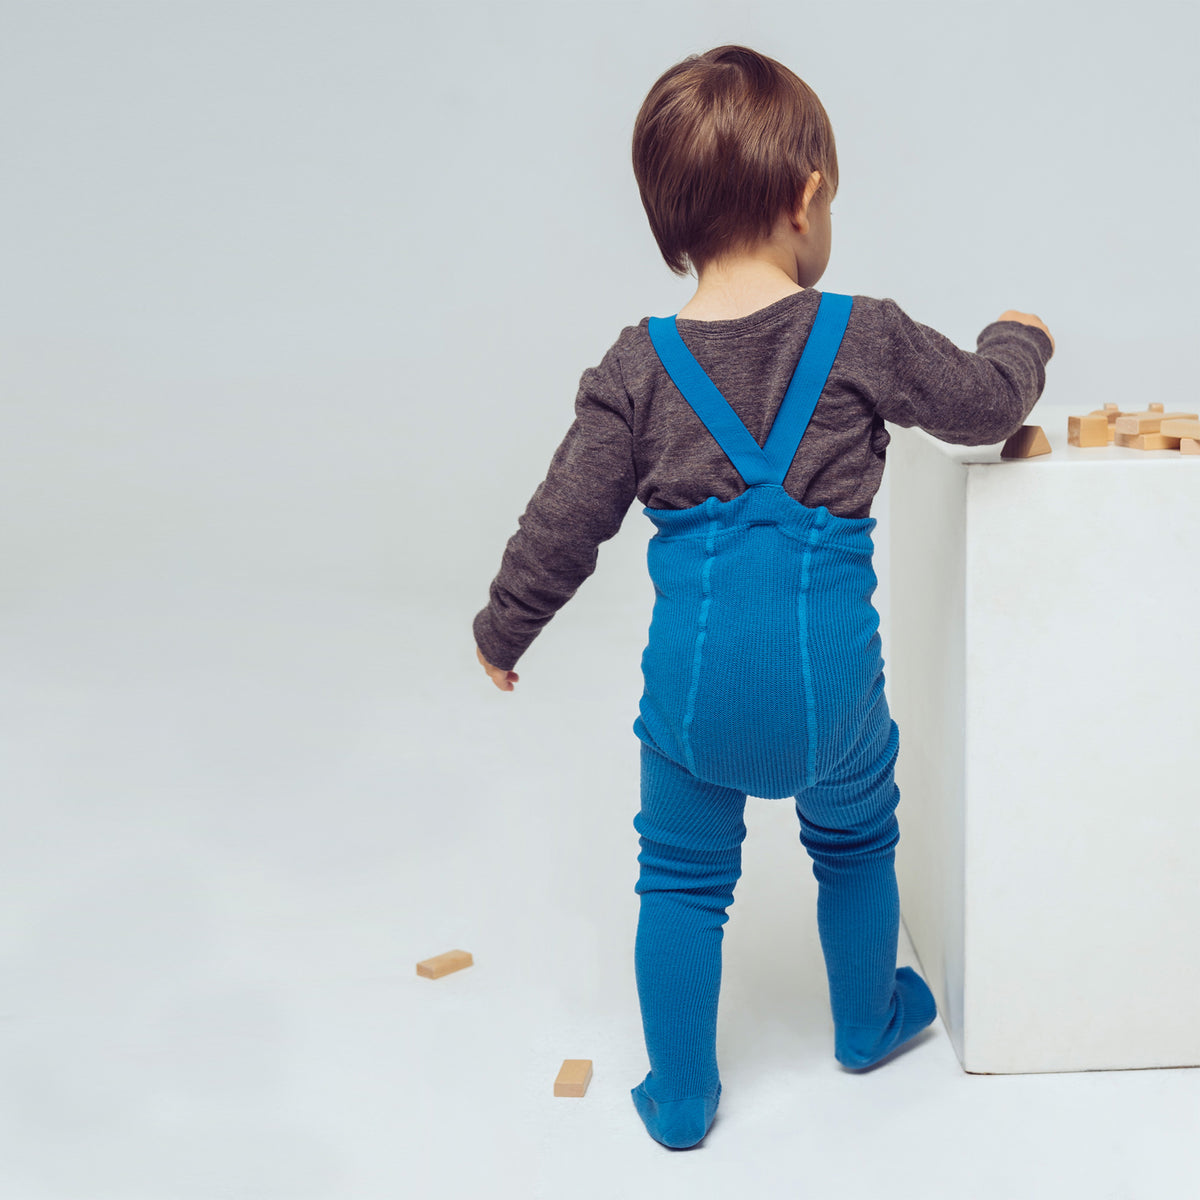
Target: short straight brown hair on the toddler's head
[723, 143]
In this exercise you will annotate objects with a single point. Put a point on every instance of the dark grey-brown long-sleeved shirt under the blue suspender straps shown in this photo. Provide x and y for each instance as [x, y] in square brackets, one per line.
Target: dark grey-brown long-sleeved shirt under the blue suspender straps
[635, 437]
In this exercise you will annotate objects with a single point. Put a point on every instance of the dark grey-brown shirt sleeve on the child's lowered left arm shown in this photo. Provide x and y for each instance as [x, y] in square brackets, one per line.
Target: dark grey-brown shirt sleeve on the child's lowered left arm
[583, 502]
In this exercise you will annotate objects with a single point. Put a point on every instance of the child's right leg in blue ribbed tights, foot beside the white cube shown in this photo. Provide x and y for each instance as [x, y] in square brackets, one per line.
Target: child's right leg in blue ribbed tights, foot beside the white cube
[850, 830]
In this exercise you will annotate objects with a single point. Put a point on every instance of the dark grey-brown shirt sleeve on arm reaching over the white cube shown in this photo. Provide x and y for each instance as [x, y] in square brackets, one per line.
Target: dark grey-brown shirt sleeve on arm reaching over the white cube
[958, 397]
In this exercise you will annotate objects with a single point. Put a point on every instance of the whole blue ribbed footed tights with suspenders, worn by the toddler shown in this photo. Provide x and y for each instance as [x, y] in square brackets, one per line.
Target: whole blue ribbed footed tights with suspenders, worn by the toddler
[763, 677]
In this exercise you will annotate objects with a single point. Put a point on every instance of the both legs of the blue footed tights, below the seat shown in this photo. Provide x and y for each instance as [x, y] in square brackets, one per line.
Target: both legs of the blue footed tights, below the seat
[692, 836]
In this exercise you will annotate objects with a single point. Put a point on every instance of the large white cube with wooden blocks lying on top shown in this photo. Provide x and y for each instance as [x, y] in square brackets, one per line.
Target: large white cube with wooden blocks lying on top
[1045, 671]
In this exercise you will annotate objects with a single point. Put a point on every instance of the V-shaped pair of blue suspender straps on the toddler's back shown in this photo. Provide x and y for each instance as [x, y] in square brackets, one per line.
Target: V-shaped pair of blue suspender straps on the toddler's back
[755, 464]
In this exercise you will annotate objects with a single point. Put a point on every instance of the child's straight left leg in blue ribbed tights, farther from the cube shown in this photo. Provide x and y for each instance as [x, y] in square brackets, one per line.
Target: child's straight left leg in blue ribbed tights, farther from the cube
[692, 835]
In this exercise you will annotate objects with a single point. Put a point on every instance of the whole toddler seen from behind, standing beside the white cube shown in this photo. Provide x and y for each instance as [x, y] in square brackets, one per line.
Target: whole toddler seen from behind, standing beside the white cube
[752, 428]
